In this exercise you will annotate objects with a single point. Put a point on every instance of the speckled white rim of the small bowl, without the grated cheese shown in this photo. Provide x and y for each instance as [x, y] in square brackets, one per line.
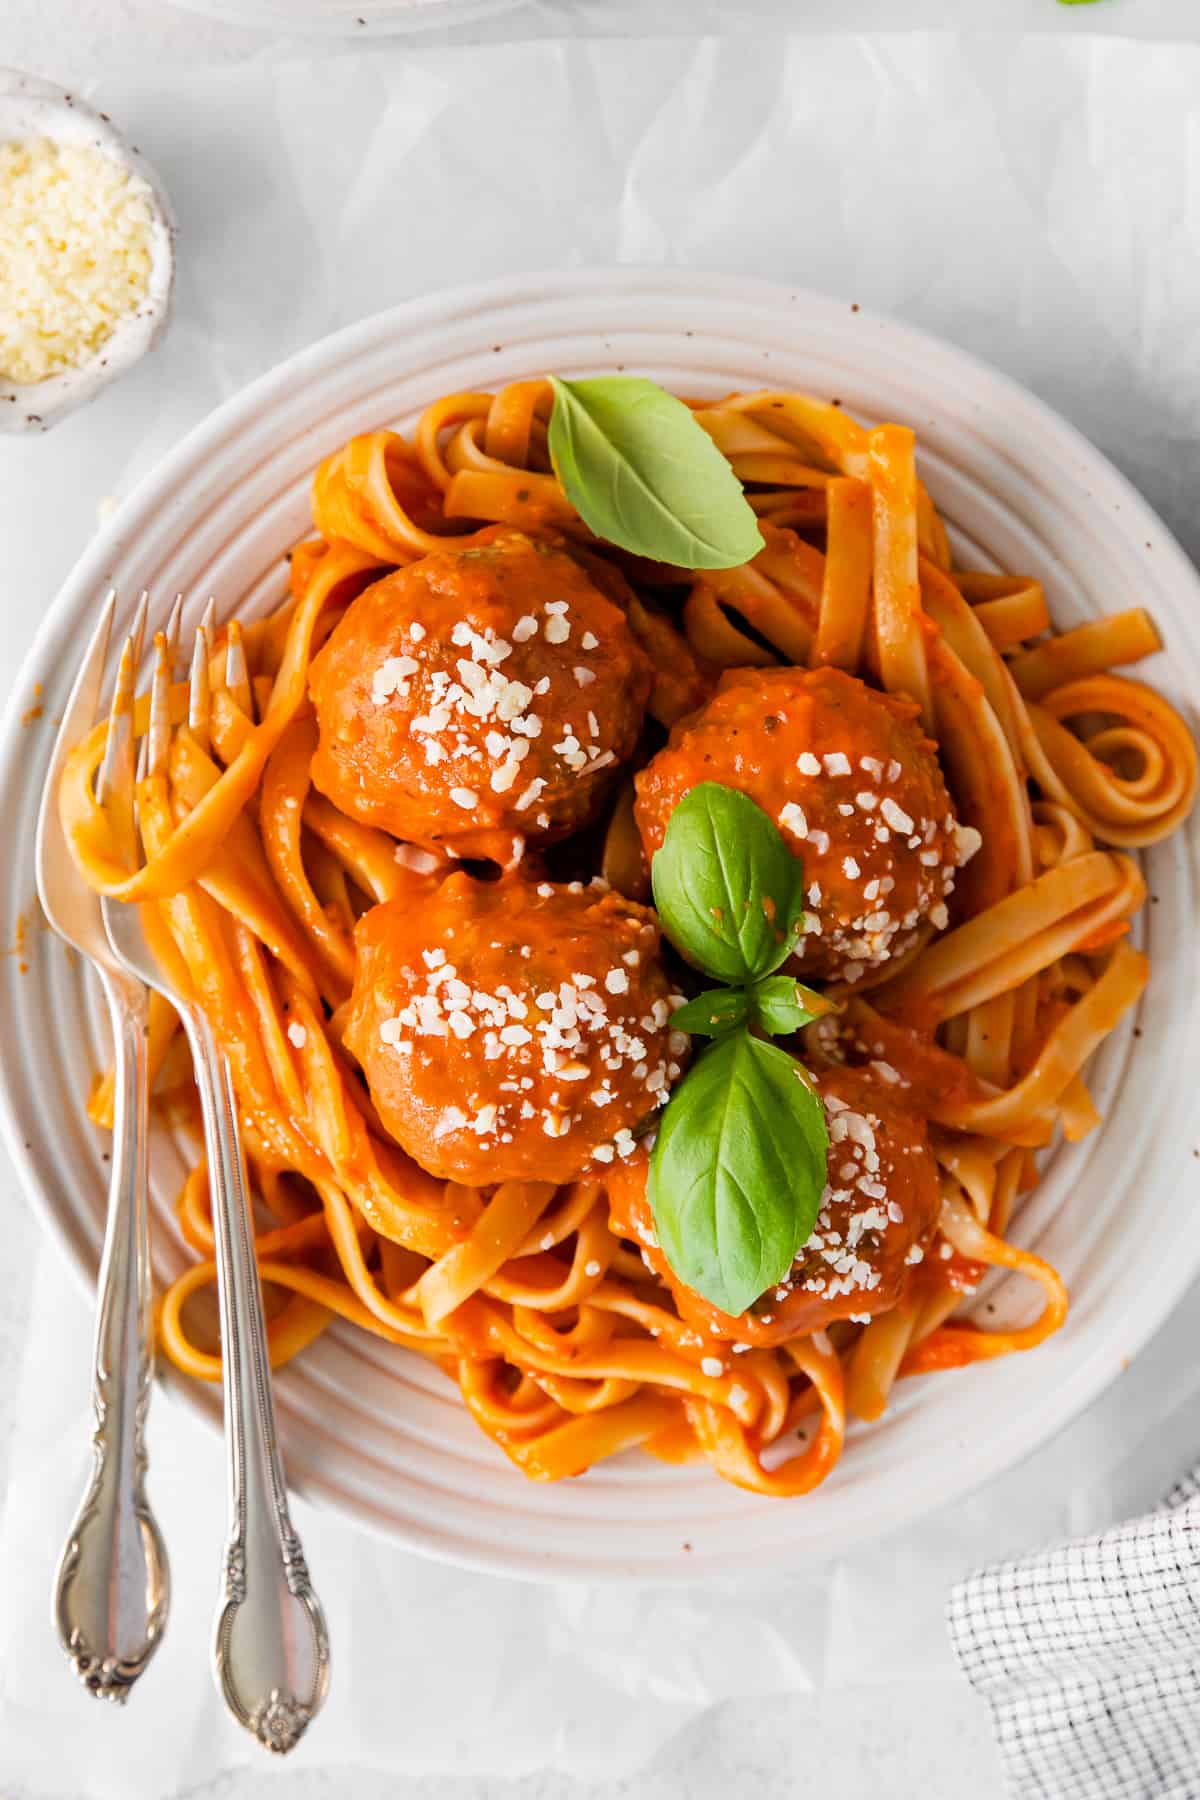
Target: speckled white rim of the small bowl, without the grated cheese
[31, 107]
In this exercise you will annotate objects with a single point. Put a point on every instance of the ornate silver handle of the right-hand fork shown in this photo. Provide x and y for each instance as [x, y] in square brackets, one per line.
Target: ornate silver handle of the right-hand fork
[271, 1651]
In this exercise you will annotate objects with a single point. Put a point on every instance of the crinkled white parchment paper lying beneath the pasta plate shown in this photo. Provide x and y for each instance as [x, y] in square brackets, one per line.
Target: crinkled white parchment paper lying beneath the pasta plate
[1035, 199]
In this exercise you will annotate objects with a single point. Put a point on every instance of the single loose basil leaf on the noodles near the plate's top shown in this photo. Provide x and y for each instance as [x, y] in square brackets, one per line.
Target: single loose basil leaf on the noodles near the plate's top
[643, 474]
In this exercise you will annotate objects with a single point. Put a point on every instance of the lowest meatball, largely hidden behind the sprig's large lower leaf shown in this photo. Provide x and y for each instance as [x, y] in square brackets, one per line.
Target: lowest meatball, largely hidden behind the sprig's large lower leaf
[877, 1216]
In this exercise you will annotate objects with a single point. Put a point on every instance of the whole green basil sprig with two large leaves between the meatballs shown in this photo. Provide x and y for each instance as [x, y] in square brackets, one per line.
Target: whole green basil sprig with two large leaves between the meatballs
[740, 1160]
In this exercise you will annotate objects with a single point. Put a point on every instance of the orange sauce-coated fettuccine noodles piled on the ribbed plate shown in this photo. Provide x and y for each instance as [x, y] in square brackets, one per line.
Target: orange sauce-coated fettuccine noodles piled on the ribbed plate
[532, 1295]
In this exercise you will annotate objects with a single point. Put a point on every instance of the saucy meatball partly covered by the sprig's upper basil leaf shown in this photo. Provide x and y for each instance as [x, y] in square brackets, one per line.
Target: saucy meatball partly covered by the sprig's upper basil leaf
[855, 789]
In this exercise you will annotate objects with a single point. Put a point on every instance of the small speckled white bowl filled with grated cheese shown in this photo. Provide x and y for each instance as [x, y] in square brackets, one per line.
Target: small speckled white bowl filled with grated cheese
[87, 255]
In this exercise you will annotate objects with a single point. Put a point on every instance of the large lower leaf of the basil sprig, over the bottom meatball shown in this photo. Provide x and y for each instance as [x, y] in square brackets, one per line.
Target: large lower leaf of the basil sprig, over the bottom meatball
[739, 1171]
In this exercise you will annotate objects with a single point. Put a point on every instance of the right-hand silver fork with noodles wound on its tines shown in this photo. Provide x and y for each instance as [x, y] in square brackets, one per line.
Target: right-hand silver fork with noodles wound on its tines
[271, 1651]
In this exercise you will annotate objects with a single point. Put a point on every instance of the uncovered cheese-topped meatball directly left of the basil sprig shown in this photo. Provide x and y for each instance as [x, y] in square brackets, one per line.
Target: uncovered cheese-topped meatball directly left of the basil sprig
[514, 1032]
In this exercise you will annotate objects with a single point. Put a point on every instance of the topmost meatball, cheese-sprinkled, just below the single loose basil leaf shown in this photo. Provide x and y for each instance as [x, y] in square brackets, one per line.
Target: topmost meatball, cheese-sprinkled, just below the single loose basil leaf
[479, 694]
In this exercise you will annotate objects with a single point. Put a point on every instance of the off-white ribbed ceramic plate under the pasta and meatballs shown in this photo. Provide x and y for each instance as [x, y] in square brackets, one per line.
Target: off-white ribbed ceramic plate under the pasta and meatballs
[379, 1432]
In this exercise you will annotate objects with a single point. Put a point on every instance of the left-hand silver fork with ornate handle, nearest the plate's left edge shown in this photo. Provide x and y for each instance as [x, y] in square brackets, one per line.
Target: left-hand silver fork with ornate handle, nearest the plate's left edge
[112, 1587]
